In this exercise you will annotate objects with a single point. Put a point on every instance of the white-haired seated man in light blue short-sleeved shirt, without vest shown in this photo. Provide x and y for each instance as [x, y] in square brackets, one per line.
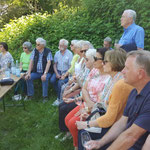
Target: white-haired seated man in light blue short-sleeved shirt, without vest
[62, 62]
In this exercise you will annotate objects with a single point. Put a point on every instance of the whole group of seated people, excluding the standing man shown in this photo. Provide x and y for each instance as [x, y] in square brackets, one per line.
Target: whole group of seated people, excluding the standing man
[88, 79]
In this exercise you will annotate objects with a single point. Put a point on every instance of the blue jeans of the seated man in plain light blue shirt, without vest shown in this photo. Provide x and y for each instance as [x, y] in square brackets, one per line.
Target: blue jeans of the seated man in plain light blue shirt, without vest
[57, 83]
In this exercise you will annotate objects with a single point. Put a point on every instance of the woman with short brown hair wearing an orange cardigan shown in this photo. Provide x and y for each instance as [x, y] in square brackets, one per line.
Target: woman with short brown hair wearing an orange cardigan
[113, 64]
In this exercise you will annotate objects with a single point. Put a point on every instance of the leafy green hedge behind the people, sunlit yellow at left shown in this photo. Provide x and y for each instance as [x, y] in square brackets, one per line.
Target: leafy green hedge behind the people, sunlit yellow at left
[93, 21]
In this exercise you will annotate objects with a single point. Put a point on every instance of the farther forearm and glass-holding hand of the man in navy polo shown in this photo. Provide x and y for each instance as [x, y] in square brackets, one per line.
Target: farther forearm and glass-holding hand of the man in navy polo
[111, 135]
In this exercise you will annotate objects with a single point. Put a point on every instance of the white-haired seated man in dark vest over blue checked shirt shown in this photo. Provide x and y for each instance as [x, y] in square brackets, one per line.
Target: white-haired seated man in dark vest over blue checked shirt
[39, 68]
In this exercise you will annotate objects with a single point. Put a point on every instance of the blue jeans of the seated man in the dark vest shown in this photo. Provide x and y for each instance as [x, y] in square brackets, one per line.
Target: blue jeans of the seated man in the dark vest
[30, 86]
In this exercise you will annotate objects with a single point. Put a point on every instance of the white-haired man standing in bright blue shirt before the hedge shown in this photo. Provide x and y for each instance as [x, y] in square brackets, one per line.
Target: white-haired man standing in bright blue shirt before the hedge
[133, 36]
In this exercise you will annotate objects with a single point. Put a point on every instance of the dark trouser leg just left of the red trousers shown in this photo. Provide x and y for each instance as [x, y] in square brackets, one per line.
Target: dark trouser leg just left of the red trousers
[64, 109]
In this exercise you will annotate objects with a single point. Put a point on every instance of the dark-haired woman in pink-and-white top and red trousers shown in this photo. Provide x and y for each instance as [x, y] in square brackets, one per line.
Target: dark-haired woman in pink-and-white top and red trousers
[95, 84]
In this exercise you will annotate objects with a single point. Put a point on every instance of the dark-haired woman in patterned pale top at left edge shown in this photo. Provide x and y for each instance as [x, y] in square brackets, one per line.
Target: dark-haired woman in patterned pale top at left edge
[5, 56]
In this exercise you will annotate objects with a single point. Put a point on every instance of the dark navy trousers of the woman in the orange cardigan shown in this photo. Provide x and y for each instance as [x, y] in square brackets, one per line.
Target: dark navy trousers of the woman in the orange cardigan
[94, 136]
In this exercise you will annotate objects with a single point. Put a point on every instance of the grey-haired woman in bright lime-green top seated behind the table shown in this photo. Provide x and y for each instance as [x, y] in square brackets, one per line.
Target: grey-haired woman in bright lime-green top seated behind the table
[24, 63]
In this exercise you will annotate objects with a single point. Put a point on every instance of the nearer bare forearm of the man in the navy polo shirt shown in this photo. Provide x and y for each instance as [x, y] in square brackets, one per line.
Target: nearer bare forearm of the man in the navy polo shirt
[127, 138]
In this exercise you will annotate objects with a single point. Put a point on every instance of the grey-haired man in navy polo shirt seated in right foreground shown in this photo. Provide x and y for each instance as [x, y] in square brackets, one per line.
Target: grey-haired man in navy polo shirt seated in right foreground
[131, 131]
